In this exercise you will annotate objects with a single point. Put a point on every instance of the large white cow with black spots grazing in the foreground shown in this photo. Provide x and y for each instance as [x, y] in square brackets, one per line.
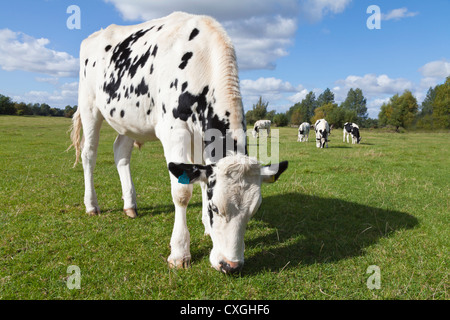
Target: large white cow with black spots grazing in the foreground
[172, 79]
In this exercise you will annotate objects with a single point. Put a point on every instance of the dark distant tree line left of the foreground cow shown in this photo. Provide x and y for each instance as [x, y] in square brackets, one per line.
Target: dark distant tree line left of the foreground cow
[8, 106]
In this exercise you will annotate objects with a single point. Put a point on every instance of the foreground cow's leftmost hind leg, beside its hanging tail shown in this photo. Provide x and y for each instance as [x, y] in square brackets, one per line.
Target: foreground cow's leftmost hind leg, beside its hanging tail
[92, 122]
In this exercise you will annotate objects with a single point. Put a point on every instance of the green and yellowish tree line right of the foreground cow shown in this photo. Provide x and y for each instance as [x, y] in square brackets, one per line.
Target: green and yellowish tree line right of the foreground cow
[402, 111]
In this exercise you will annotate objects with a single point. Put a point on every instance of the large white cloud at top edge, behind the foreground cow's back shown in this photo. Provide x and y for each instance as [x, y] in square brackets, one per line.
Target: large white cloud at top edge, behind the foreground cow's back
[262, 31]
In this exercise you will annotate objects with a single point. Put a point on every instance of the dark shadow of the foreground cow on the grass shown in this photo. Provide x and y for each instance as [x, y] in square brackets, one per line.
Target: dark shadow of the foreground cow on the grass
[302, 229]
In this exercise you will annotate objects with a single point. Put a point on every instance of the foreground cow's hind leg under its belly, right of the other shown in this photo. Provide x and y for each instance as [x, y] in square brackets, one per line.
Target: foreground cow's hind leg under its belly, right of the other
[123, 146]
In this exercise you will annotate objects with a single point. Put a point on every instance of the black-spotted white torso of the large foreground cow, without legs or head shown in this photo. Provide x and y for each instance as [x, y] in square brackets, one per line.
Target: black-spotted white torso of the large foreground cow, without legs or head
[177, 71]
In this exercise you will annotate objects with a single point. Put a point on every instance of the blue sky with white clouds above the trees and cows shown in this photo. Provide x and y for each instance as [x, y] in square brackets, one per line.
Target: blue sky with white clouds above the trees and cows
[285, 48]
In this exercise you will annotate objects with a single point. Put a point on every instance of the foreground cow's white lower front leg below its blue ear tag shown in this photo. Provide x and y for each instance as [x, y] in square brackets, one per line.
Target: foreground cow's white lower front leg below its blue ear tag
[180, 255]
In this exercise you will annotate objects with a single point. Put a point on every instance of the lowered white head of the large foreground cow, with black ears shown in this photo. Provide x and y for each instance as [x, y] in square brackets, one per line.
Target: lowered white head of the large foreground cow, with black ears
[234, 196]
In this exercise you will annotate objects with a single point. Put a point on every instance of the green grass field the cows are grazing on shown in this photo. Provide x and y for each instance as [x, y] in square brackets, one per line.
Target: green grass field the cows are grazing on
[331, 215]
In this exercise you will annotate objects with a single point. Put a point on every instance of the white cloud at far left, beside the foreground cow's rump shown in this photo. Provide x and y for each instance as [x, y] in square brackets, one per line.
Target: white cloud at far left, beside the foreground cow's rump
[19, 51]
